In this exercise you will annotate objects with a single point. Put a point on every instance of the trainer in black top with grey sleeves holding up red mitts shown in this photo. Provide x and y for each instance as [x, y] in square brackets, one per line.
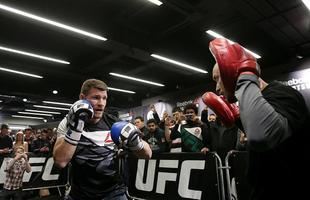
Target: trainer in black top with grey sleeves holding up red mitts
[275, 119]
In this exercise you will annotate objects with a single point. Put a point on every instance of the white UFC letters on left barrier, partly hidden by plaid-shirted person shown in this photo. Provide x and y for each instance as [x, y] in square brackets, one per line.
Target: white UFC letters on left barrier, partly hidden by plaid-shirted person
[46, 176]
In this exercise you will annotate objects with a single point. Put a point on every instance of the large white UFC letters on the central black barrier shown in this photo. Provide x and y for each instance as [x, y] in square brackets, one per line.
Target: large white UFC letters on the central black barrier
[163, 177]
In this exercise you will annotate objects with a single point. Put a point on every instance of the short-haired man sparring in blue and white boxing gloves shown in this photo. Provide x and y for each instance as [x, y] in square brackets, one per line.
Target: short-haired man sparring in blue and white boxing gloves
[84, 139]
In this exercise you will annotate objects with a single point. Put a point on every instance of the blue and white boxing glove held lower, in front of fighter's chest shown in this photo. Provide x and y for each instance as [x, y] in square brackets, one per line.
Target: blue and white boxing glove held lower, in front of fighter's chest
[127, 135]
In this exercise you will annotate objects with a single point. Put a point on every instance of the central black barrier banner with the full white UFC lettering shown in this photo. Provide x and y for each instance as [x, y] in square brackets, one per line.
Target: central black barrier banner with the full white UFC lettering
[174, 176]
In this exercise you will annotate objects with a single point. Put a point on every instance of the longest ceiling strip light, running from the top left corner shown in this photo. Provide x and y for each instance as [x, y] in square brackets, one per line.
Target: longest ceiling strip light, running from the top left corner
[50, 22]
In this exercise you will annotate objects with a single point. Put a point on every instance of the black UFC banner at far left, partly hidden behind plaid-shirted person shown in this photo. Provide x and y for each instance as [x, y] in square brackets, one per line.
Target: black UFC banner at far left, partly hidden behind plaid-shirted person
[43, 173]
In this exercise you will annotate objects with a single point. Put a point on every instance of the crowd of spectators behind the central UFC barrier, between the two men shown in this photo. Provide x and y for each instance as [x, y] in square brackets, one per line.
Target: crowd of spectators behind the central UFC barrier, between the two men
[184, 130]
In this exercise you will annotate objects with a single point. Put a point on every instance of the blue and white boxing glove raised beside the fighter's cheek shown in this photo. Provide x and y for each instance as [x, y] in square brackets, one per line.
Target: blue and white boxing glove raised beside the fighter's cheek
[80, 112]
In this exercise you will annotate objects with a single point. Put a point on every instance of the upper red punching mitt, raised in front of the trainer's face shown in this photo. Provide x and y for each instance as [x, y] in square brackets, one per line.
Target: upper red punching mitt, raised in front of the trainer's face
[232, 60]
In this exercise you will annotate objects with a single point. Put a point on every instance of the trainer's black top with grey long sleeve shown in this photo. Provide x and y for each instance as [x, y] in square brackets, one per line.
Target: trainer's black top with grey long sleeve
[276, 122]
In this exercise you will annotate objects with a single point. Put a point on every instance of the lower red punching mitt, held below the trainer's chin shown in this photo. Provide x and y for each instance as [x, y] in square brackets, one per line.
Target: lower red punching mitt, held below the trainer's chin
[228, 113]
